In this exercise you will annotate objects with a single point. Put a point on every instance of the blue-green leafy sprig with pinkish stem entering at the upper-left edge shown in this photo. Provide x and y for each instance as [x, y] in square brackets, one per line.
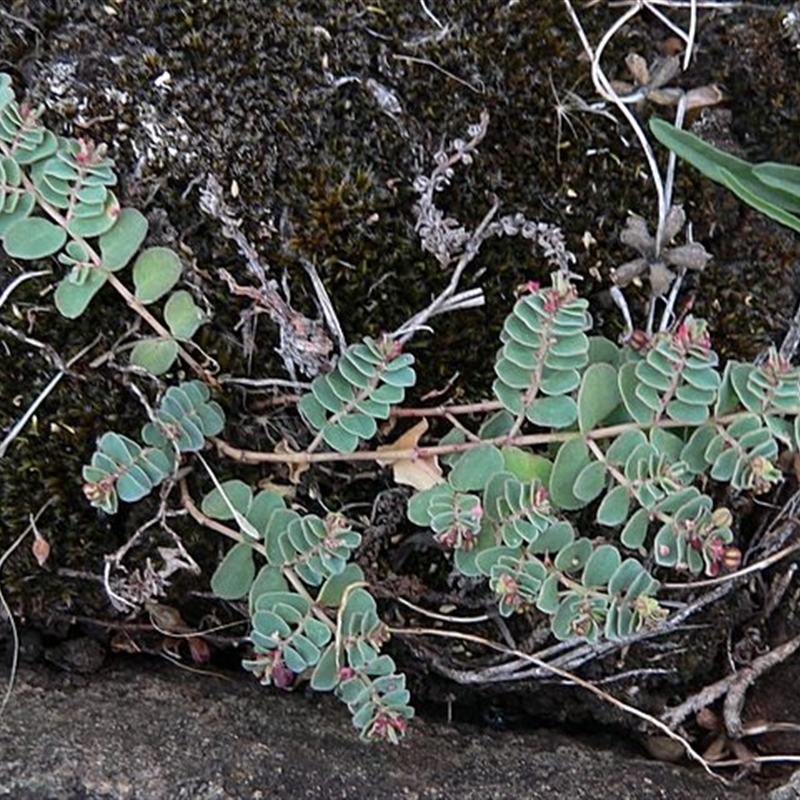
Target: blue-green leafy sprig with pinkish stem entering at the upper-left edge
[56, 200]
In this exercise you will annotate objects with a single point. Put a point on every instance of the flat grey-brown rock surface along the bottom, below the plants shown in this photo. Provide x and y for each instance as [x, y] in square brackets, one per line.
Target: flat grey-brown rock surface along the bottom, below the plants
[138, 731]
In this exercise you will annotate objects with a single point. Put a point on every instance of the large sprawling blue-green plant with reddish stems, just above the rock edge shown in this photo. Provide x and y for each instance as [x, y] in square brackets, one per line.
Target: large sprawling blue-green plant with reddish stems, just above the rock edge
[624, 441]
